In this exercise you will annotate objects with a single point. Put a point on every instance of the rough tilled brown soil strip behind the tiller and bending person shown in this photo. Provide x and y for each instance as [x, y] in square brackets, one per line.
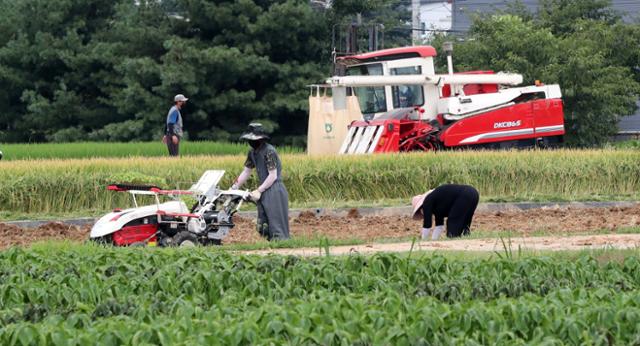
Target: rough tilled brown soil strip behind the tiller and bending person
[556, 222]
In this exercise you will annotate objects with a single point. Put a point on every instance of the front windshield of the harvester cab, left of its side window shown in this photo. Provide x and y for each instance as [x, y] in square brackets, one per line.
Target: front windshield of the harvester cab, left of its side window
[371, 99]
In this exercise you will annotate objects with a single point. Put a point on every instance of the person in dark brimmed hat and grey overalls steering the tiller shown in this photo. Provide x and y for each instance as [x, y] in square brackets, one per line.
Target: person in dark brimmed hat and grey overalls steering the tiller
[271, 197]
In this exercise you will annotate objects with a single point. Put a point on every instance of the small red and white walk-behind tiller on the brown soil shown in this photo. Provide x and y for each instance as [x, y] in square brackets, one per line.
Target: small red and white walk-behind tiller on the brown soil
[172, 223]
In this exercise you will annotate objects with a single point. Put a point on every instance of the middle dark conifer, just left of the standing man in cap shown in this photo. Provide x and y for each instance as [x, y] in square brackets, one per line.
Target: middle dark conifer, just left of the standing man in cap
[133, 48]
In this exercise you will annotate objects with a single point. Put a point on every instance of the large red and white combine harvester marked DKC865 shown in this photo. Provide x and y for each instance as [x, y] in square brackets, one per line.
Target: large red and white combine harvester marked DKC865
[407, 107]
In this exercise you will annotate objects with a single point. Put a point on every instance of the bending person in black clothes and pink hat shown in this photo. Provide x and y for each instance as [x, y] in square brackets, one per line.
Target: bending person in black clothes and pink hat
[457, 203]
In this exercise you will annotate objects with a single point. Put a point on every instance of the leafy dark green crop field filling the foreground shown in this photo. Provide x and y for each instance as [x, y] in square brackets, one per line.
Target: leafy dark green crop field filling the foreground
[79, 295]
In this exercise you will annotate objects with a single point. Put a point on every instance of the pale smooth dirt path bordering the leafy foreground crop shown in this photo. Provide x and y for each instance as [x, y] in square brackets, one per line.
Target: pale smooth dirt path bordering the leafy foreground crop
[576, 242]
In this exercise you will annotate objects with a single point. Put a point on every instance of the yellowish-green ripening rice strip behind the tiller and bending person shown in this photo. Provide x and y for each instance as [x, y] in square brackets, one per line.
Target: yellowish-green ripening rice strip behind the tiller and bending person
[41, 187]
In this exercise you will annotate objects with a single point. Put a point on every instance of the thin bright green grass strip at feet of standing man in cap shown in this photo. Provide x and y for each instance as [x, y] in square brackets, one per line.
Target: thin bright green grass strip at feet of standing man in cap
[107, 149]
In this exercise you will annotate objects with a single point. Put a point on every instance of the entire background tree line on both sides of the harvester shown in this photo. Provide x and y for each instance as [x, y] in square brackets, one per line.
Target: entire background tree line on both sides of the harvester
[107, 70]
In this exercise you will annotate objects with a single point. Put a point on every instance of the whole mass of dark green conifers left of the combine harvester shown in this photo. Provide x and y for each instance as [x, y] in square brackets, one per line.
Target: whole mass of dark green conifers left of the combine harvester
[108, 70]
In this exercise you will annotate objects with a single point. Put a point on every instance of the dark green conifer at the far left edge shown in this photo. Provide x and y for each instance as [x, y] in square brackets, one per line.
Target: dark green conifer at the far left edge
[48, 73]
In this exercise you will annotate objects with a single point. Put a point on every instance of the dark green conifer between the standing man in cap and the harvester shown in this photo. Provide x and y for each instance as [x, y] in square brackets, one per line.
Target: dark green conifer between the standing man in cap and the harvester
[240, 61]
